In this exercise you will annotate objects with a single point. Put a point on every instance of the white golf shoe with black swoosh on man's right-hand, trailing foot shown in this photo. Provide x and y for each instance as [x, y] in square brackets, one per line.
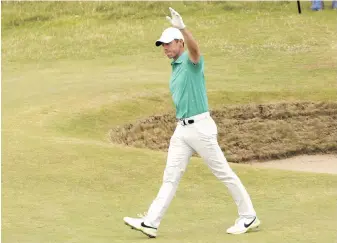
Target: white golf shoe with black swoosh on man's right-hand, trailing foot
[243, 225]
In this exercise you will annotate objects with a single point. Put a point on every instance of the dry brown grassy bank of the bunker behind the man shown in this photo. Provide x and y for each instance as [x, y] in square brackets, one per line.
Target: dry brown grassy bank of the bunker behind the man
[250, 132]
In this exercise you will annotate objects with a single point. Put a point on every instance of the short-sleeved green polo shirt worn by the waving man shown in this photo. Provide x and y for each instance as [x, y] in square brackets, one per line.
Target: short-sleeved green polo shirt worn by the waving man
[187, 86]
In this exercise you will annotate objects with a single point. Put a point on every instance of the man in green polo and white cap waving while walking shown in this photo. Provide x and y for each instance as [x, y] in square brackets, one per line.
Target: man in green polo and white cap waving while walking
[195, 131]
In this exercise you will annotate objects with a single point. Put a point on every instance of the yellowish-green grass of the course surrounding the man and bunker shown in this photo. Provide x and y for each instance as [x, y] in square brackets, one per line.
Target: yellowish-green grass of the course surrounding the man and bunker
[71, 71]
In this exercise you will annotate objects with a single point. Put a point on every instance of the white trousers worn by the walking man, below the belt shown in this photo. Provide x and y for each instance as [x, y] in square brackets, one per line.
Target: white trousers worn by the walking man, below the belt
[201, 137]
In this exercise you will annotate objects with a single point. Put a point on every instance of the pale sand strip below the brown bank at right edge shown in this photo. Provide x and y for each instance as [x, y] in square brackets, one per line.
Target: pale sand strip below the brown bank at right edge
[309, 163]
